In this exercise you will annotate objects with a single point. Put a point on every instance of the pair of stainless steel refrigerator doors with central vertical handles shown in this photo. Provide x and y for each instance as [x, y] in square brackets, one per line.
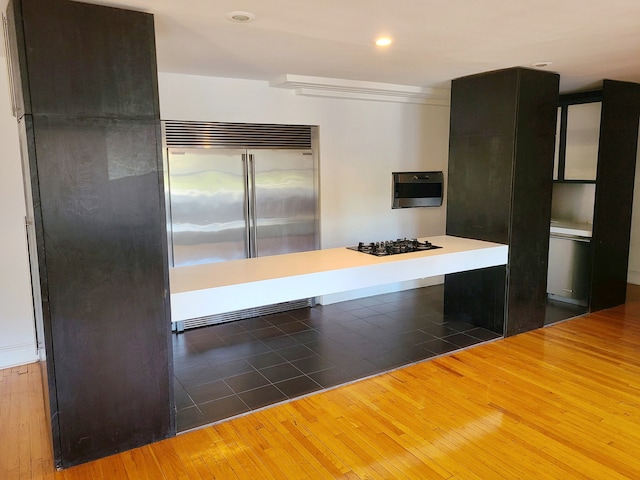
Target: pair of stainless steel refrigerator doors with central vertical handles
[231, 203]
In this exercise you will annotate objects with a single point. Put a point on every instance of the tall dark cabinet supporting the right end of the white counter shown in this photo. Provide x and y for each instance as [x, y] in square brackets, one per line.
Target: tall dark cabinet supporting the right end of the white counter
[501, 149]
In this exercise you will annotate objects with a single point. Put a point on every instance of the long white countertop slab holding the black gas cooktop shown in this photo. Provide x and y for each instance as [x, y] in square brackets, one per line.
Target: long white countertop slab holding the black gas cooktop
[215, 288]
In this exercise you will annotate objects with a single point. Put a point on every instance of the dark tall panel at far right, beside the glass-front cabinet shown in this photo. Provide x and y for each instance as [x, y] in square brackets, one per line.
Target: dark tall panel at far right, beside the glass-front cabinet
[617, 155]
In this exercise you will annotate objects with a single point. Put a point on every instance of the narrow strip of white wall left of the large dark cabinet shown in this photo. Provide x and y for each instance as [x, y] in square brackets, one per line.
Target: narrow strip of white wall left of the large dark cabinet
[17, 332]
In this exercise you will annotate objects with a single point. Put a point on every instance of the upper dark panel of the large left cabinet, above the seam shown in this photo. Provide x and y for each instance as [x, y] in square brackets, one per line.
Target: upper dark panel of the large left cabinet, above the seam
[86, 59]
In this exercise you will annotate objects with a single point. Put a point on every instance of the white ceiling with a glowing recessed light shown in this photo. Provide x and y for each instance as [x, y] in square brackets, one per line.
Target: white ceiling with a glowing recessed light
[434, 41]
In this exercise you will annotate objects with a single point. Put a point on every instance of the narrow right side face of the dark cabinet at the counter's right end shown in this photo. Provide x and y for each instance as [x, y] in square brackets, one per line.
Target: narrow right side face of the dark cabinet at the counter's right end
[531, 195]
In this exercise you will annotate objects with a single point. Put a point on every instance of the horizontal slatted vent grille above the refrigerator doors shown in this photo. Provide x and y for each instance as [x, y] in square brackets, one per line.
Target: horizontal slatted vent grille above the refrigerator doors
[242, 135]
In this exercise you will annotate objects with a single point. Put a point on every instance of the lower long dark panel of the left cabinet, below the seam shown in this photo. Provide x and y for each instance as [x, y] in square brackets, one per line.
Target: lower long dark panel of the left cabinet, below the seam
[107, 288]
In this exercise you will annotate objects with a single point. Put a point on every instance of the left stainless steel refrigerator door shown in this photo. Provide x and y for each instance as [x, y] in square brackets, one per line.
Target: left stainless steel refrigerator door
[208, 205]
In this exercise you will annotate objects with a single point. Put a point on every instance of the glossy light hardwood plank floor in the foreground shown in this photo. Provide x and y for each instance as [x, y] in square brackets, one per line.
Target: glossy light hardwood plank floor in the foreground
[561, 402]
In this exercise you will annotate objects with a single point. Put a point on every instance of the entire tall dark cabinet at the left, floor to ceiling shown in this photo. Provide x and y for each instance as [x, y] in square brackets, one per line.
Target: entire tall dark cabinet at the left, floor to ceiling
[85, 83]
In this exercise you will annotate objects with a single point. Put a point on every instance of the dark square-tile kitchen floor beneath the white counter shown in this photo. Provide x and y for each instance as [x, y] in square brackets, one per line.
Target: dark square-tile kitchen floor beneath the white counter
[228, 369]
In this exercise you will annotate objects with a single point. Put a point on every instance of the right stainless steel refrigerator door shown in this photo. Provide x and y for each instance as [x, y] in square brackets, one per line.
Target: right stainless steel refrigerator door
[284, 201]
